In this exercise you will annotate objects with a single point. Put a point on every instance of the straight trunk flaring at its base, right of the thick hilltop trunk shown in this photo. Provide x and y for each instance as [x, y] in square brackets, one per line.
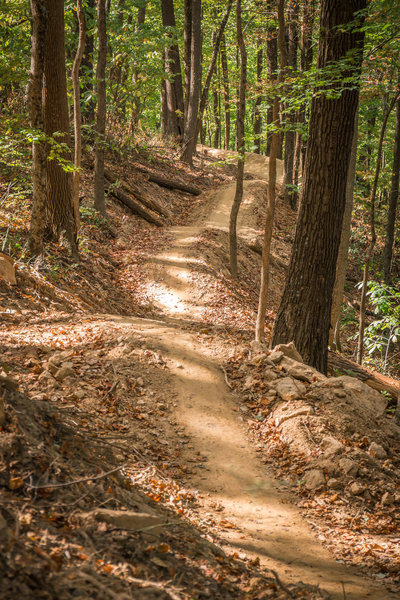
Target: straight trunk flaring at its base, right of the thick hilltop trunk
[190, 133]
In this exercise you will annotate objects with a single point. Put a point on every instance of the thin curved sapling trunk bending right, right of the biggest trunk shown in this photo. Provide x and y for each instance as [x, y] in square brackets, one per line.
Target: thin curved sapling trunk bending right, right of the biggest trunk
[372, 241]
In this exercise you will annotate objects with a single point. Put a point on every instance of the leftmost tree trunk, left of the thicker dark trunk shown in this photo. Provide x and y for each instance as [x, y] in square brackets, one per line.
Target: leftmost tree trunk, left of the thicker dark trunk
[37, 226]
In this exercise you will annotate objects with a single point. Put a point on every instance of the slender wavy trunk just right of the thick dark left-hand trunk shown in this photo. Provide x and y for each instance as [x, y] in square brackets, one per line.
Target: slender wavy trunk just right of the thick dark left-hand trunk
[77, 111]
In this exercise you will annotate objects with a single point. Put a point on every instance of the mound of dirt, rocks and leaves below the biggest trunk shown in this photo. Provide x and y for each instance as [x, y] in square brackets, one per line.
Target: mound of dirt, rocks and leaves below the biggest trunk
[332, 440]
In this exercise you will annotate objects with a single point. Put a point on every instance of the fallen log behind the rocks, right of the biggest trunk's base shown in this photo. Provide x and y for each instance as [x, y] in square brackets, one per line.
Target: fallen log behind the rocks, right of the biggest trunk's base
[377, 381]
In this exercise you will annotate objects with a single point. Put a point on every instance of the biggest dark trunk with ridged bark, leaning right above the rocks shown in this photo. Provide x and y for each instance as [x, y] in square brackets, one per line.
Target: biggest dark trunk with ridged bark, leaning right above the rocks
[305, 309]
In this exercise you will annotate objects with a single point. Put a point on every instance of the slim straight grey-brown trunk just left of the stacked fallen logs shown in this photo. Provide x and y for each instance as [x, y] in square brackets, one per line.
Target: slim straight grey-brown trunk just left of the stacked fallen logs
[99, 197]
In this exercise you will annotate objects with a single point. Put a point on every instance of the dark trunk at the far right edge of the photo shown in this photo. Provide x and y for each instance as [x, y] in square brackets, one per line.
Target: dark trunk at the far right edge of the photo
[393, 200]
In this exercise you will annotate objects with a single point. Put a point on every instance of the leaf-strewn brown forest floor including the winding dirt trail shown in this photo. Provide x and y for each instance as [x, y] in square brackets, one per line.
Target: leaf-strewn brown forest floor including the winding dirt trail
[138, 381]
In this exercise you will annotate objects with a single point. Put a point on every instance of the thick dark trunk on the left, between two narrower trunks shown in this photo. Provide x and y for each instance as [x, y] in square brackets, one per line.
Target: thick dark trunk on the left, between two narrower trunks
[59, 209]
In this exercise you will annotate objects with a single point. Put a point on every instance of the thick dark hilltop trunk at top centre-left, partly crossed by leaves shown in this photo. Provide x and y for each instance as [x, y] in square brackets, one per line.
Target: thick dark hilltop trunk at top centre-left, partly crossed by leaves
[173, 85]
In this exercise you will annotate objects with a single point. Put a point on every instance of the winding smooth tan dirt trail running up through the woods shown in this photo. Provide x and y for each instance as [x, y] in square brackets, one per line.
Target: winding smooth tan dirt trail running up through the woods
[235, 484]
